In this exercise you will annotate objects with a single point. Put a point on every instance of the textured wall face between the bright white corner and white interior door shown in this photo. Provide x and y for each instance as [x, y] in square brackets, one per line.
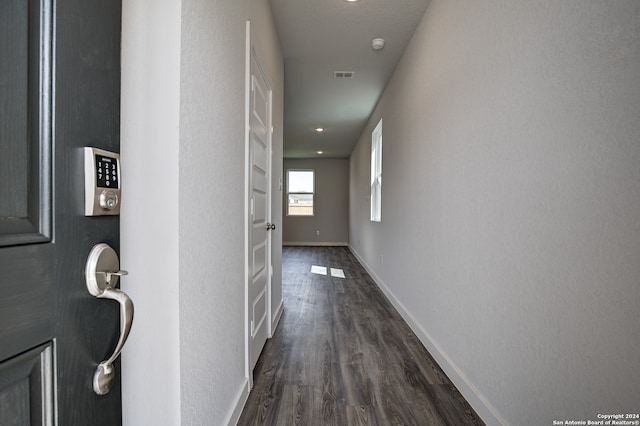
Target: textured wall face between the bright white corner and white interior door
[211, 202]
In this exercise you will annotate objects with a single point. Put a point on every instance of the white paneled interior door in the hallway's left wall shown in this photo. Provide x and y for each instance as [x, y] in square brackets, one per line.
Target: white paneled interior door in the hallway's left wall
[259, 256]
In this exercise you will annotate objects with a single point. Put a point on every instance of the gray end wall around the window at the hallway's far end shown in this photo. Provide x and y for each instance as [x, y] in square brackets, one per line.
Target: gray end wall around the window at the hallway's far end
[331, 210]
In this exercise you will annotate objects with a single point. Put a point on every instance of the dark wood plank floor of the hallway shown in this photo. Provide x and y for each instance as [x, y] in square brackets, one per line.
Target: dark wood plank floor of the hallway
[342, 355]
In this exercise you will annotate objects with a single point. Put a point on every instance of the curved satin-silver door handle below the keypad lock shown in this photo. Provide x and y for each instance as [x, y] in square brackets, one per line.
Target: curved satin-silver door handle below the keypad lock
[102, 273]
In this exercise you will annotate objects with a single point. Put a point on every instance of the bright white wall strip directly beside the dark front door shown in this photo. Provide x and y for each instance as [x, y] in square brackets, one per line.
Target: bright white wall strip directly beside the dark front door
[149, 234]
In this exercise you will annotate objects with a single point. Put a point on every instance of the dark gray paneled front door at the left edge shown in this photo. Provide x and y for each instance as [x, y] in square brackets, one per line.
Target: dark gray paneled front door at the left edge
[59, 91]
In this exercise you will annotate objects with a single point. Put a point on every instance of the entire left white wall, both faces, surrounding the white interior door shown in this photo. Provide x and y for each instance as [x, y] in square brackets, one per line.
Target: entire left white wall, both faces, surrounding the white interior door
[183, 134]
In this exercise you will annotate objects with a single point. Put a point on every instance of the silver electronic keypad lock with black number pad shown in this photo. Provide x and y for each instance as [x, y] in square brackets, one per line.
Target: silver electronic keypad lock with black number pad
[101, 182]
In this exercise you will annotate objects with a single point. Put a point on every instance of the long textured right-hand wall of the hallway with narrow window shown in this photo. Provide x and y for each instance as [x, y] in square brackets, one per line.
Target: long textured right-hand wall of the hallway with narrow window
[511, 202]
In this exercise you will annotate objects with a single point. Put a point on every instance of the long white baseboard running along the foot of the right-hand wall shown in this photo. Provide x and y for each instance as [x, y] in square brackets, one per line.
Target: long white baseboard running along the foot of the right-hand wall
[480, 404]
